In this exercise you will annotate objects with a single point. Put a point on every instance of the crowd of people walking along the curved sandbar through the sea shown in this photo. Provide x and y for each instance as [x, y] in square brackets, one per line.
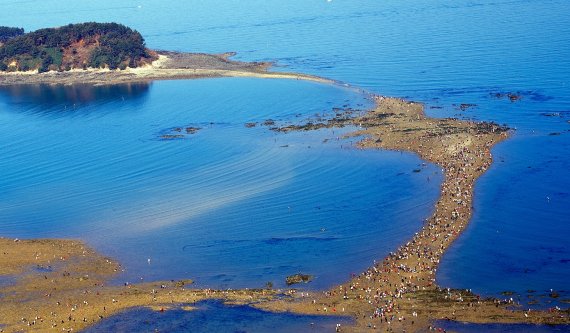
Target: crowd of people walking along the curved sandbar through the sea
[381, 295]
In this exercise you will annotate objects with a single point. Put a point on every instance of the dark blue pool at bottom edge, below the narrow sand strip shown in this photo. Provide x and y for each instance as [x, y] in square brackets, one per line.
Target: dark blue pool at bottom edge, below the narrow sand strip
[215, 316]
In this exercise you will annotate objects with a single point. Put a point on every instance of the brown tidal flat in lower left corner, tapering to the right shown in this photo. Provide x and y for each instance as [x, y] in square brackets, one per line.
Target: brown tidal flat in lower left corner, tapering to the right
[61, 286]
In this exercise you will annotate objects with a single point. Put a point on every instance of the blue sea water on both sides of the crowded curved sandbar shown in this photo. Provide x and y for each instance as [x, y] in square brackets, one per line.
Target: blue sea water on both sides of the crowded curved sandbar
[89, 163]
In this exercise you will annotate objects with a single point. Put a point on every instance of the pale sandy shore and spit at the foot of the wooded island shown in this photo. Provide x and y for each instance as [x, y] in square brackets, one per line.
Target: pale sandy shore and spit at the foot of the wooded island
[168, 66]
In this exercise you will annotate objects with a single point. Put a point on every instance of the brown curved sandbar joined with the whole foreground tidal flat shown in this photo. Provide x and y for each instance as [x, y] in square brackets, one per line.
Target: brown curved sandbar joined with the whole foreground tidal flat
[61, 285]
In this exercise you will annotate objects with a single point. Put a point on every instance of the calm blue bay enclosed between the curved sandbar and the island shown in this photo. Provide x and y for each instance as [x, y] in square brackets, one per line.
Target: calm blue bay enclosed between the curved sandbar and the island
[226, 205]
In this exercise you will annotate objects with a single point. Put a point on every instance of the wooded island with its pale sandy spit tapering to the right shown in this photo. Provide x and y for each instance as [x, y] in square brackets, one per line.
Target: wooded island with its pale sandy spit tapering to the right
[106, 53]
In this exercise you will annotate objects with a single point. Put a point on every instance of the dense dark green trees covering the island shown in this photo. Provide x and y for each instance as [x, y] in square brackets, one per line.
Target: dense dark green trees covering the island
[84, 45]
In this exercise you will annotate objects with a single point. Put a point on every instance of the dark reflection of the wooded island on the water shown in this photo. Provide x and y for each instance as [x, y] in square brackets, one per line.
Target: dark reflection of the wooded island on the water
[61, 100]
